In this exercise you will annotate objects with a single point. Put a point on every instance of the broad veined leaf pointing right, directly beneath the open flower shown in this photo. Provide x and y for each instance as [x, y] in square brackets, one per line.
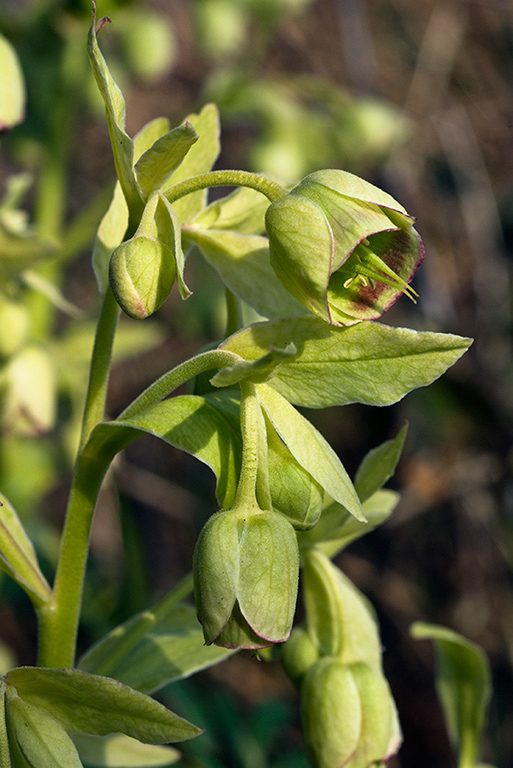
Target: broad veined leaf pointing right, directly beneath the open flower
[365, 363]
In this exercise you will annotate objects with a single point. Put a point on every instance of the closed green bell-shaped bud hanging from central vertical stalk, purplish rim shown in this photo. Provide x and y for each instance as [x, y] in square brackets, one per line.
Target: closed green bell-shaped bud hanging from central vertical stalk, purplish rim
[246, 567]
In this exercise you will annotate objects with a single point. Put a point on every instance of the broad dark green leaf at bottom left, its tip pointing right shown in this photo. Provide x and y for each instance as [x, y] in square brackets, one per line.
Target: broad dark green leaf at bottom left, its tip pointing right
[85, 703]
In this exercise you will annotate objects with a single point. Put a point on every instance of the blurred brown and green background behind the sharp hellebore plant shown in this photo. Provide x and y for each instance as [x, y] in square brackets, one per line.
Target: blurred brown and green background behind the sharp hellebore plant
[417, 97]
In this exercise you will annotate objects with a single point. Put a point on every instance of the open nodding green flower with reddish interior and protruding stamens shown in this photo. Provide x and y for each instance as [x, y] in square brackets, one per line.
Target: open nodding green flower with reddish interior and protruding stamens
[343, 247]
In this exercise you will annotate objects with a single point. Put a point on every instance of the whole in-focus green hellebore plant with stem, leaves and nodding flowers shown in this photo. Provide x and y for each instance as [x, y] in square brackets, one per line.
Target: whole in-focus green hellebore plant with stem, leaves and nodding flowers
[316, 263]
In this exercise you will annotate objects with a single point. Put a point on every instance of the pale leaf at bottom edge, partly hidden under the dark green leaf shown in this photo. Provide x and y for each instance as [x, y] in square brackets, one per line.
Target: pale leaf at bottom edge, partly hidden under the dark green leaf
[120, 751]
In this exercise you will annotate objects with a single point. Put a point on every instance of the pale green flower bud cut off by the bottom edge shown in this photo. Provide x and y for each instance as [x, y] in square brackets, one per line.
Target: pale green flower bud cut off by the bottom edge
[349, 717]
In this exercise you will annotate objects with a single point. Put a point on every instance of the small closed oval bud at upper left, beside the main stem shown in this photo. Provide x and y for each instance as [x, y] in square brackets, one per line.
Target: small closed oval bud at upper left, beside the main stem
[141, 274]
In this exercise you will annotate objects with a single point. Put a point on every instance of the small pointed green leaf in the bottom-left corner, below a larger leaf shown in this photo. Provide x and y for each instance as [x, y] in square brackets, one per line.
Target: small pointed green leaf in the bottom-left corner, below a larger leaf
[39, 737]
